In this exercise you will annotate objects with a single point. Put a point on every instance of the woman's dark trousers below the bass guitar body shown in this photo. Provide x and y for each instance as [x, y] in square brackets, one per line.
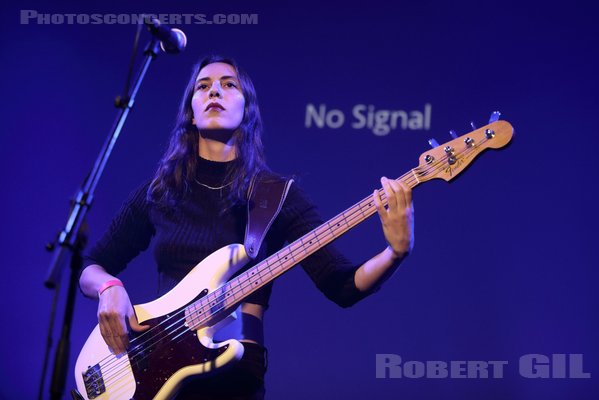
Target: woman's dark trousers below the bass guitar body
[243, 381]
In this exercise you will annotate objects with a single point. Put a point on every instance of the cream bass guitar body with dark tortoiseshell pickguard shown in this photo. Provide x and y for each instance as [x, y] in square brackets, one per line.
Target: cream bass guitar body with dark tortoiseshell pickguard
[161, 359]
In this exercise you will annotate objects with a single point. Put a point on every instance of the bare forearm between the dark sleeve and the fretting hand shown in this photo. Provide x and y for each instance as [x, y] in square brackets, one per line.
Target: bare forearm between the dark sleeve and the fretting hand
[378, 269]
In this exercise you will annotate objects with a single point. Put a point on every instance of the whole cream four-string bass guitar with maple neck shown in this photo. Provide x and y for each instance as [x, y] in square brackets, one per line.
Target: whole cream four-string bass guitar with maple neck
[179, 345]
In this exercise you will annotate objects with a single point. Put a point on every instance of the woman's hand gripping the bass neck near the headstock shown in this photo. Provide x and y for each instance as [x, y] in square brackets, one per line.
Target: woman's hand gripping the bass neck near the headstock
[398, 217]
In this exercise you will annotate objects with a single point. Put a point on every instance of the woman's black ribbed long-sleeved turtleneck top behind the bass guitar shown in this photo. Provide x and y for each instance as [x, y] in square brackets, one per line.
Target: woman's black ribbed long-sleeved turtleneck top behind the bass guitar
[195, 228]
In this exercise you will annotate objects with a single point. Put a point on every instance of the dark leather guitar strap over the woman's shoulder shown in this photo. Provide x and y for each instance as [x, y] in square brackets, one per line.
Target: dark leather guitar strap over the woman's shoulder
[267, 193]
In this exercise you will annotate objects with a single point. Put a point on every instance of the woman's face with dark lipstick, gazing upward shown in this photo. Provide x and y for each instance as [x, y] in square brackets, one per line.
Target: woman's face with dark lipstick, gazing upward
[217, 101]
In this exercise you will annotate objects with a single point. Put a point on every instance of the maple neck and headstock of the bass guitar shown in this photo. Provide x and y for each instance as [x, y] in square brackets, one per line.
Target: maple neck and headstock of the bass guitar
[443, 162]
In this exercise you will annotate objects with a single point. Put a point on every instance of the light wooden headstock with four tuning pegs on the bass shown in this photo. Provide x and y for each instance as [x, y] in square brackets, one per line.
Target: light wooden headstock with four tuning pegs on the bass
[450, 159]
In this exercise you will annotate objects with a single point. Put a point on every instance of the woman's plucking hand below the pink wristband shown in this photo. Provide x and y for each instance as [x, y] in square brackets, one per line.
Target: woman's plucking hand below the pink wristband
[114, 310]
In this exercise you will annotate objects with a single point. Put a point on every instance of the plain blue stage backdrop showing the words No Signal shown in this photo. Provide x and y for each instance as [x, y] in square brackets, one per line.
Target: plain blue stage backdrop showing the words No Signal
[498, 299]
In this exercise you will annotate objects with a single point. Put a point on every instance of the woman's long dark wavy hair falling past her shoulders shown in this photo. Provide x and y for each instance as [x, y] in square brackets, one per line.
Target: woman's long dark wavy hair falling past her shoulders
[177, 168]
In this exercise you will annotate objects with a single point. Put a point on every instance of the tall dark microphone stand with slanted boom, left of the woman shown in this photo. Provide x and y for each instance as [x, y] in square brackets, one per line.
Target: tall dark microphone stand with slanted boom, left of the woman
[71, 239]
